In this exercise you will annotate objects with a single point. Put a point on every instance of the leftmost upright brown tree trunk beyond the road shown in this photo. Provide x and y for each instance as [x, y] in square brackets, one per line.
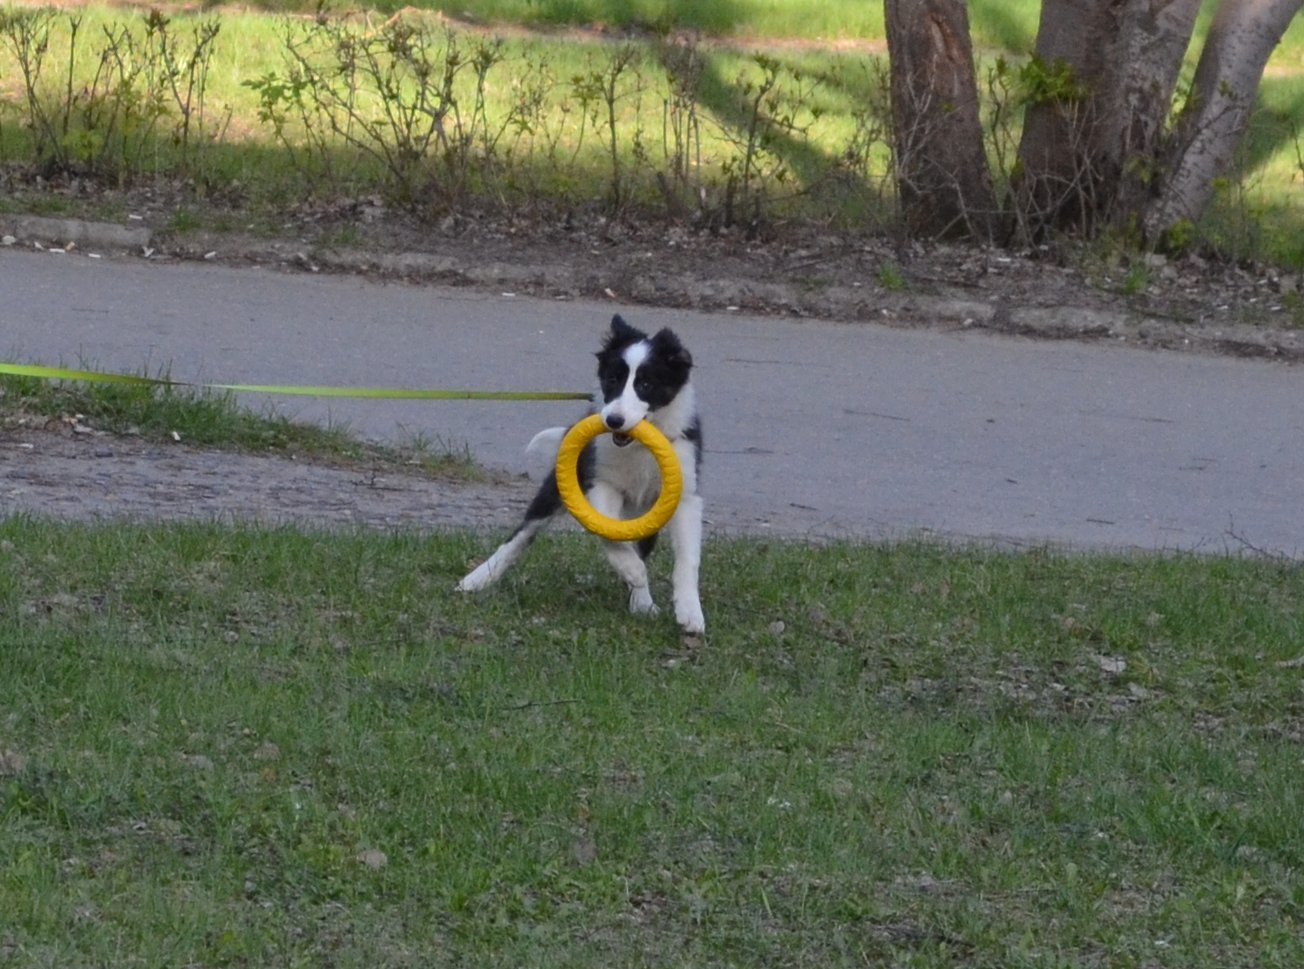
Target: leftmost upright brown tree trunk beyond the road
[943, 178]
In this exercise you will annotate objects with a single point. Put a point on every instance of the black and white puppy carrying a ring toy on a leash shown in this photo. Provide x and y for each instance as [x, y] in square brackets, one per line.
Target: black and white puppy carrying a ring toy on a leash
[641, 378]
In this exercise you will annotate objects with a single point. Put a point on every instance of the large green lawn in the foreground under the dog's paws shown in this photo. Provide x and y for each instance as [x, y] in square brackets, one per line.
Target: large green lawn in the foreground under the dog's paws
[244, 748]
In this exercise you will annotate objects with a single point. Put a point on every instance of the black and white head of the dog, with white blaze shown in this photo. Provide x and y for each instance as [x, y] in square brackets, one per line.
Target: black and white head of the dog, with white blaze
[640, 375]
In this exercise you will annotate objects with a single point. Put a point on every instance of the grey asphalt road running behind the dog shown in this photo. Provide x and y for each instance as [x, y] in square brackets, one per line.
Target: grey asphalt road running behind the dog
[812, 428]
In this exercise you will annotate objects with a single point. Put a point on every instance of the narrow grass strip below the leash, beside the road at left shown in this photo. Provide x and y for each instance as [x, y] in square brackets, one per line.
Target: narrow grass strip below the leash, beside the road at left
[211, 419]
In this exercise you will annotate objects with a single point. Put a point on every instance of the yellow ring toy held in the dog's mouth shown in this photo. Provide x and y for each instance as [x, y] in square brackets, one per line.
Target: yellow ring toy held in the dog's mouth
[606, 526]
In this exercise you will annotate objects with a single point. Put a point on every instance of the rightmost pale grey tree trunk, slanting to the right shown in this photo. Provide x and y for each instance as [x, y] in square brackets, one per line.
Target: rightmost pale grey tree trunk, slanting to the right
[1215, 119]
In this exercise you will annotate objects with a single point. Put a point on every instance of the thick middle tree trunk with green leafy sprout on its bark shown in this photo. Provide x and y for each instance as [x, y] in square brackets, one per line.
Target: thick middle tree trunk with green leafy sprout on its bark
[1101, 83]
